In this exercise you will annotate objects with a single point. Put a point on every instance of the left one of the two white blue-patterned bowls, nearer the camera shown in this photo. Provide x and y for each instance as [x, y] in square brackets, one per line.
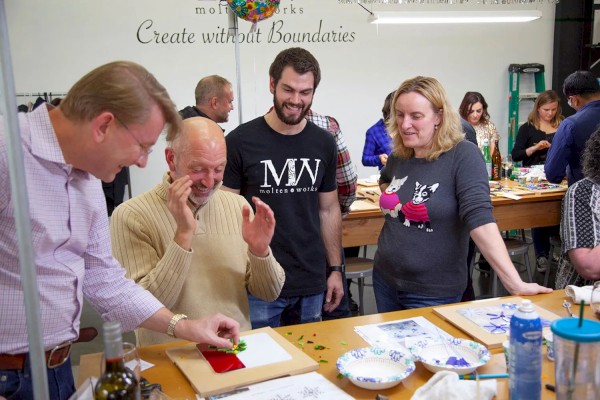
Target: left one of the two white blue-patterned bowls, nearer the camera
[375, 368]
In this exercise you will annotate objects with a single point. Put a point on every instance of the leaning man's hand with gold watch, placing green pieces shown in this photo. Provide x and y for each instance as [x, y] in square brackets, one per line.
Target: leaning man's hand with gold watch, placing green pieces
[215, 330]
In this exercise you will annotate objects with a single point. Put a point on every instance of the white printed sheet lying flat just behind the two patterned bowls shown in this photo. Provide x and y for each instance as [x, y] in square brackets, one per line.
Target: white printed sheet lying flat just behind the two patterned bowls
[401, 333]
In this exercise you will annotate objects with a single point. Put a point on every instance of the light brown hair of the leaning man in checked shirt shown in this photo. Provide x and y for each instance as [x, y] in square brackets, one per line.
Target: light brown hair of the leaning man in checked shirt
[123, 88]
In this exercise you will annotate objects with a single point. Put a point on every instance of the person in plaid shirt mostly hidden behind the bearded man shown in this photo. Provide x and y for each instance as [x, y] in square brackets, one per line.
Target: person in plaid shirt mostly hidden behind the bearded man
[346, 178]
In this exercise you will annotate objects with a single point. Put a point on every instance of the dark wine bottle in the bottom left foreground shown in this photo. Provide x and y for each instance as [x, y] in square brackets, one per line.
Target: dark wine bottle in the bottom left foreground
[117, 381]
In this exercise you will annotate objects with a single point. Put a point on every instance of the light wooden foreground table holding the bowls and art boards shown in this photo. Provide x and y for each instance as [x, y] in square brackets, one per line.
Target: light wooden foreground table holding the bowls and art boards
[331, 334]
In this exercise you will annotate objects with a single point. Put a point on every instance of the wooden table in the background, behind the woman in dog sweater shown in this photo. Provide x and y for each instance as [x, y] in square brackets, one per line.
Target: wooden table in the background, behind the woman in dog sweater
[362, 226]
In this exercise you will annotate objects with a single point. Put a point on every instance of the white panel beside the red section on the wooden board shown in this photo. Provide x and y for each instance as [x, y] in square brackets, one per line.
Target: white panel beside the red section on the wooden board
[262, 349]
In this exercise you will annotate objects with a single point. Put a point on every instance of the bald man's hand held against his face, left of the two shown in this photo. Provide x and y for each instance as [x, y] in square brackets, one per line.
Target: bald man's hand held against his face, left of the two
[177, 197]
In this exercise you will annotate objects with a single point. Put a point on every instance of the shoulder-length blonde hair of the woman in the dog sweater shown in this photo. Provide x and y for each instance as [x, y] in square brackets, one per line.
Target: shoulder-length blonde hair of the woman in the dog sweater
[447, 134]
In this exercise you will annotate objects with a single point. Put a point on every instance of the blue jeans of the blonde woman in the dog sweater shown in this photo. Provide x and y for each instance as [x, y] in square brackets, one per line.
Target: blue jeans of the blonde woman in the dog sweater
[388, 298]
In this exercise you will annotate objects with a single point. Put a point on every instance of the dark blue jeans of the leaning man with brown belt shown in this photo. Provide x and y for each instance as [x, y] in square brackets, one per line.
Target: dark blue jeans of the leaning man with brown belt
[18, 384]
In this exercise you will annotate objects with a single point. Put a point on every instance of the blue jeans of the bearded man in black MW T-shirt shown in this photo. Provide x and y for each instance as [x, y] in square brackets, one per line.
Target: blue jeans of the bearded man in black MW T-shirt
[285, 310]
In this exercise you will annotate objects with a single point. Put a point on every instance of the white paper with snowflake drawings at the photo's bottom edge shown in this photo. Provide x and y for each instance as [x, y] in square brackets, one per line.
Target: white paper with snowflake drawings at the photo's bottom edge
[311, 385]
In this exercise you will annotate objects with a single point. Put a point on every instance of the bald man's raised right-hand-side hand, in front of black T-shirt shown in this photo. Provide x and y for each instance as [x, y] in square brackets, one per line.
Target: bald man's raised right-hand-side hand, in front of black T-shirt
[258, 232]
